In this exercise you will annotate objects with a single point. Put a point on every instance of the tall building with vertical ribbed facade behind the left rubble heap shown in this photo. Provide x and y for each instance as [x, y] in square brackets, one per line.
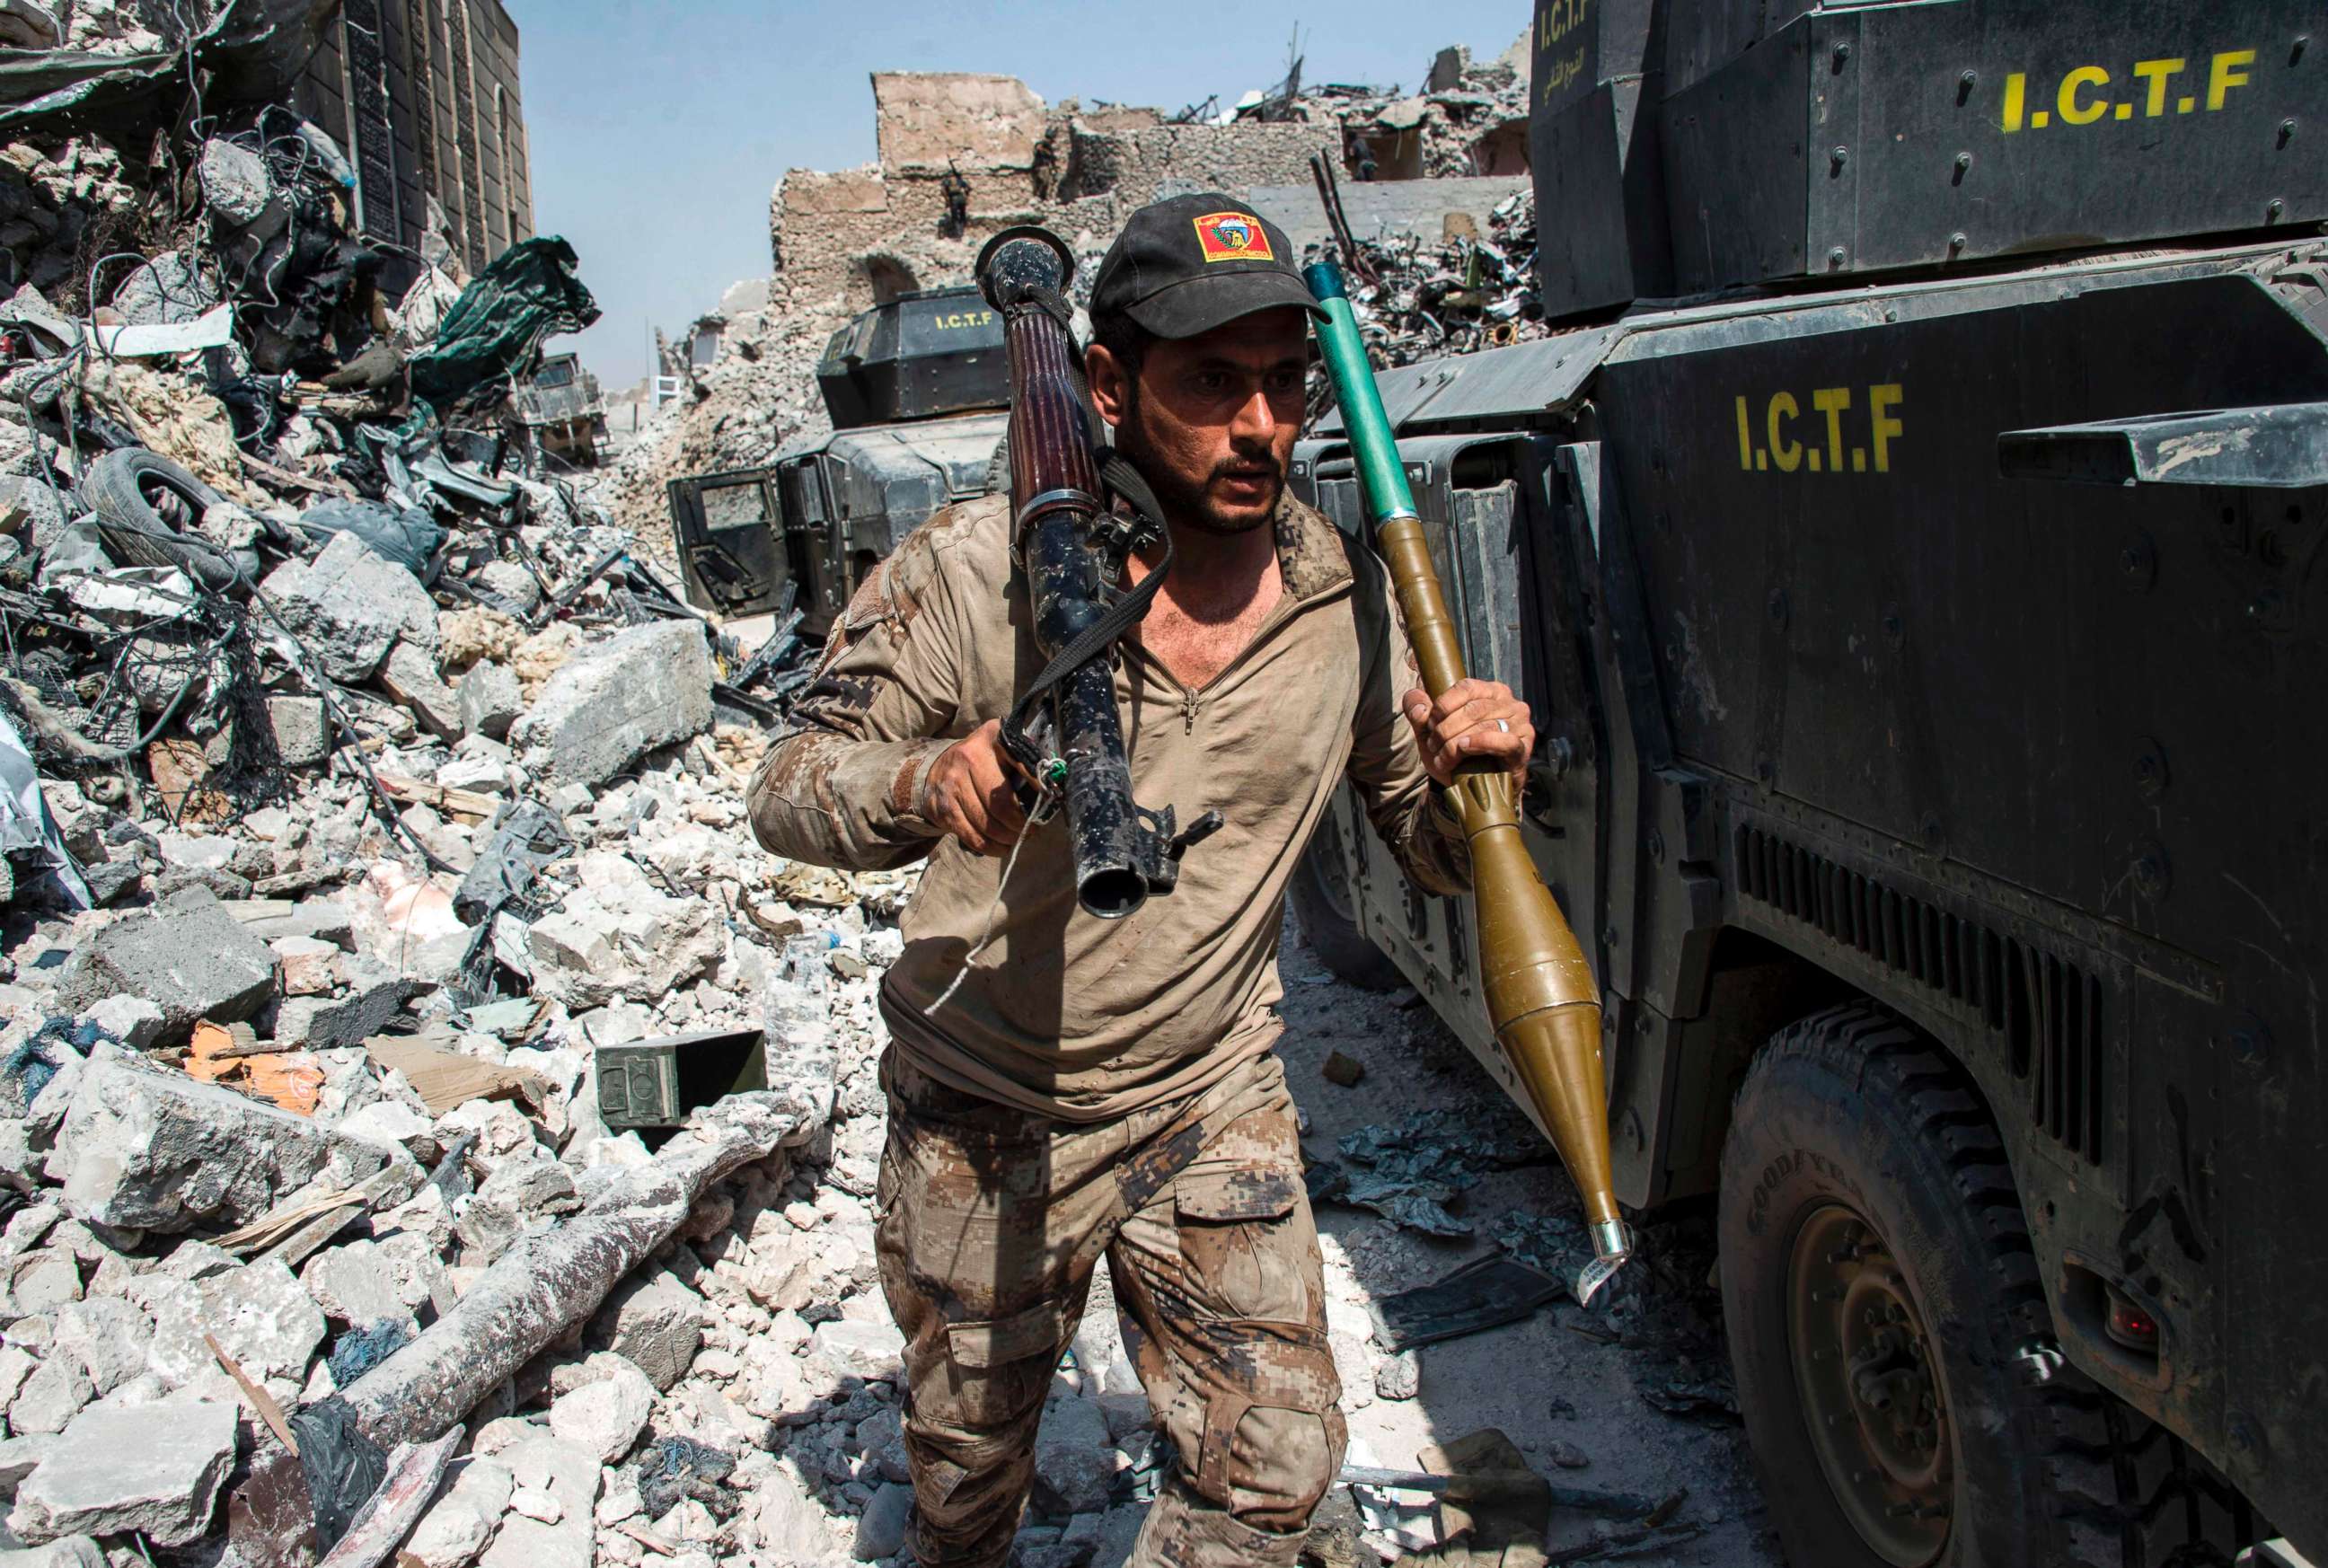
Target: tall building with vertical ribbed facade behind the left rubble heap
[427, 99]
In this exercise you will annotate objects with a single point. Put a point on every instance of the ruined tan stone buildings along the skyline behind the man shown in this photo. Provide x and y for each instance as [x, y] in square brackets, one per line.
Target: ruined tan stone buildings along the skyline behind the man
[970, 155]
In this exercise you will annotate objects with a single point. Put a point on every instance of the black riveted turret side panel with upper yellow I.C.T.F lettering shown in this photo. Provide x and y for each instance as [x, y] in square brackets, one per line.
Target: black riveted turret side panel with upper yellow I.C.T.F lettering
[1889, 134]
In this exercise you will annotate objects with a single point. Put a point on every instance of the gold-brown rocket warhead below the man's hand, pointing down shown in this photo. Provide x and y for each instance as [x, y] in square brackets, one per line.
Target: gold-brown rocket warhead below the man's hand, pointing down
[1549, 1020]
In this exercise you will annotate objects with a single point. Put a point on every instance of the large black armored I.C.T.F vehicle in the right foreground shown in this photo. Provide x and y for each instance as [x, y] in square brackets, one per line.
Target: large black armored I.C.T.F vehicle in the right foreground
[1912, 550]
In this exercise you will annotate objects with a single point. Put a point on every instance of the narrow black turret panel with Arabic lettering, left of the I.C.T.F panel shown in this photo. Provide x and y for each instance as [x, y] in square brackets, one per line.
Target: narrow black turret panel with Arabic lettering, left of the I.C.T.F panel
[1600, 192]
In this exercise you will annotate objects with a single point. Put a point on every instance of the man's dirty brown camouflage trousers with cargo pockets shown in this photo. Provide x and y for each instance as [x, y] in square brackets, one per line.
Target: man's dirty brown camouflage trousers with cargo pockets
[988, 1230]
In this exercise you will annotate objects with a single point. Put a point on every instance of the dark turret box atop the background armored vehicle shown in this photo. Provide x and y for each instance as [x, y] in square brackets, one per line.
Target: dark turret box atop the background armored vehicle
[923, 355]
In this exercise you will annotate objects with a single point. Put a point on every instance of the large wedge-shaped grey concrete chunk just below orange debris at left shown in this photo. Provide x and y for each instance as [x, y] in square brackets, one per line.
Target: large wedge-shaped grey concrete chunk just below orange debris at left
[162, 1153]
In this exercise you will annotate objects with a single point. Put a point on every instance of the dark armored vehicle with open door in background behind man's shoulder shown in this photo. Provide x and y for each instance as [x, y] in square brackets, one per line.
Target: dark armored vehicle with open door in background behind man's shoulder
[918, 394]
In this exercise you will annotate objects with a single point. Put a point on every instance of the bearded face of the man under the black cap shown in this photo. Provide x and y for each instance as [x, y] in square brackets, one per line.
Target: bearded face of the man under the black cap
[1212, 420]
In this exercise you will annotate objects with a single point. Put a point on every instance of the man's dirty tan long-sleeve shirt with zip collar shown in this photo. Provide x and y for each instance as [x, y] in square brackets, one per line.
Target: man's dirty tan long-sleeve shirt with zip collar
[1067, 1015]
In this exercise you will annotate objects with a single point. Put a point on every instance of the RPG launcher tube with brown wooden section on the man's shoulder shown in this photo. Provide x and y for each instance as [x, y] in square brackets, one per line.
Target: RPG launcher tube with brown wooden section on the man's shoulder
[1074, 550]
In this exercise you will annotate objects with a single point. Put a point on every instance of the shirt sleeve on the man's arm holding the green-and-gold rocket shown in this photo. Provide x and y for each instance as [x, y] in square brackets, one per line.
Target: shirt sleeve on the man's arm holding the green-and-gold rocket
[1386, 764]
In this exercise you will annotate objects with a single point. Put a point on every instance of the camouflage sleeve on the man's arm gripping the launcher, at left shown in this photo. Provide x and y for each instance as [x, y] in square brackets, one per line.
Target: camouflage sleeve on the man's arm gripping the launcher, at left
[844, 785]
